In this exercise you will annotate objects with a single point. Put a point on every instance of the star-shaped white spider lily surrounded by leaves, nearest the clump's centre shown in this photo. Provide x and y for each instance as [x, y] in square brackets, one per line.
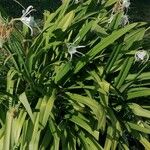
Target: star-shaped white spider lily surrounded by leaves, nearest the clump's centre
[72, 49]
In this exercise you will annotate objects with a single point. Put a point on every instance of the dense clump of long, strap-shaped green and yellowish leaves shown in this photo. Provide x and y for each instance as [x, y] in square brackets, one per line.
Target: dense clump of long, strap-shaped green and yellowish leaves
[96, 100]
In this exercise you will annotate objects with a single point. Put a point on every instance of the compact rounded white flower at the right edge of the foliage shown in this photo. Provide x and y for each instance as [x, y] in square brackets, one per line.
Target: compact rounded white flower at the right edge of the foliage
[141, 55]
